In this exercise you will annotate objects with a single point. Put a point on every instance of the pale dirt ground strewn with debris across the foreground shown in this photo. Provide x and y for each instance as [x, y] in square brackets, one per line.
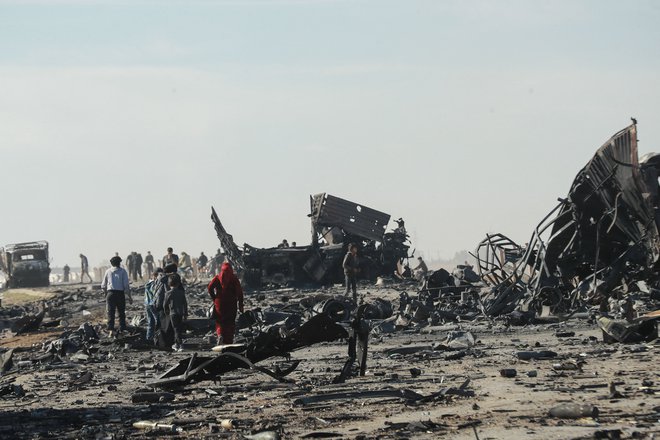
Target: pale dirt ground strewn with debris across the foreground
[89, 396]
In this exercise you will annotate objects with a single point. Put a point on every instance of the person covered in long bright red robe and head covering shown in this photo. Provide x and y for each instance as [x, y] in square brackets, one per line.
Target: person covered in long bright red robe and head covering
[226, 291]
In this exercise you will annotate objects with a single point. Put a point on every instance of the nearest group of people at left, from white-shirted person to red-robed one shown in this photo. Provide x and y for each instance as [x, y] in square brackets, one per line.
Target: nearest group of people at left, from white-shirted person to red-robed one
[166, 306]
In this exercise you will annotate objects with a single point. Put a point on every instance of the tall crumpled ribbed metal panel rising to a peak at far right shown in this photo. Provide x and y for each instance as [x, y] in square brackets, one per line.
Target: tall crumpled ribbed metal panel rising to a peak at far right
[611, 204]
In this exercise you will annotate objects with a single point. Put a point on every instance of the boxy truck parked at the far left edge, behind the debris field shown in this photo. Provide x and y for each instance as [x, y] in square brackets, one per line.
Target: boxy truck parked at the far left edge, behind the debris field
[26, 264]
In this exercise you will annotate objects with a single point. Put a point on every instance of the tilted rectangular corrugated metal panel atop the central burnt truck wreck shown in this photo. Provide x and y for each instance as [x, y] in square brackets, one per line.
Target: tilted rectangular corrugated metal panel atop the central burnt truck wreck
[353, 218]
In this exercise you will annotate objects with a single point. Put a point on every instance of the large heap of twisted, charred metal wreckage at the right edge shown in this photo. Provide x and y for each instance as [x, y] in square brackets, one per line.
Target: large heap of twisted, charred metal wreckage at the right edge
[598, 243]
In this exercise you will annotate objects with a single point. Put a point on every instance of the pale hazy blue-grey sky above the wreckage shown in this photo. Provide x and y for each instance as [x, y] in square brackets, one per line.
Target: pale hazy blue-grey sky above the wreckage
[122, 122]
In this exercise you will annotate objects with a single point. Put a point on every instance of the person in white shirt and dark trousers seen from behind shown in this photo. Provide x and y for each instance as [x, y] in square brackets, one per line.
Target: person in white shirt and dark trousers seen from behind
[116, 287]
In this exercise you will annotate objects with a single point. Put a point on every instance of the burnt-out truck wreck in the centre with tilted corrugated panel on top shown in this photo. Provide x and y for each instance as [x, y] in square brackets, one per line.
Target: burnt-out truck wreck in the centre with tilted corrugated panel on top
[335, 223]
